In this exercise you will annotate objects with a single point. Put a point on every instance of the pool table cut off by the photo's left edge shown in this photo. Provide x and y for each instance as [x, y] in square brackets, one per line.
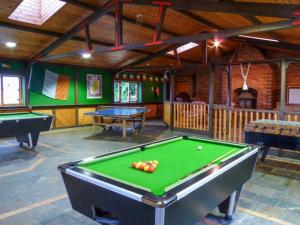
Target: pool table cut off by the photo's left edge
[25, 126]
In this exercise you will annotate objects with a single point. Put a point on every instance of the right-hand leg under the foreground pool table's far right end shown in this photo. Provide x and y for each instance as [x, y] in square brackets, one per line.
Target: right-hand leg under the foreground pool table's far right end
[228, 207]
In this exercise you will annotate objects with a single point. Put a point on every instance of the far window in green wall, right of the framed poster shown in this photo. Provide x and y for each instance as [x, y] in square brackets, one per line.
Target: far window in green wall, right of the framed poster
[126, 91]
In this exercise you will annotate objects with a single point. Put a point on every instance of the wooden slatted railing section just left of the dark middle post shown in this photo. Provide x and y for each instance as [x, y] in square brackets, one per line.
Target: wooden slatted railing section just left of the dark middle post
[191, 116]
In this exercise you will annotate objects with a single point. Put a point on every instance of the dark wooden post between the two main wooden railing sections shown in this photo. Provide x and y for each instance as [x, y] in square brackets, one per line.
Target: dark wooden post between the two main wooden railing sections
[211, 99]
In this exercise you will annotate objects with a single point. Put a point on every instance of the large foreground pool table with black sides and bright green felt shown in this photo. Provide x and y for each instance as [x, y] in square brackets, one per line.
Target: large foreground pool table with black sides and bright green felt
[193, 177]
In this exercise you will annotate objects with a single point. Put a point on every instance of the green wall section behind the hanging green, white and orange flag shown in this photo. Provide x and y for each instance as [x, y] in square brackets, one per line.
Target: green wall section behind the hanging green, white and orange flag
[37, 78]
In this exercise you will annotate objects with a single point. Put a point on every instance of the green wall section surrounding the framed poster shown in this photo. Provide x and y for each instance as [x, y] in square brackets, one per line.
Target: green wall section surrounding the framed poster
[107, 92]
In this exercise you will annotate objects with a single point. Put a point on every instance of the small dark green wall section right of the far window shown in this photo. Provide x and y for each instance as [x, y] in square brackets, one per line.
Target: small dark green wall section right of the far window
[148, 94]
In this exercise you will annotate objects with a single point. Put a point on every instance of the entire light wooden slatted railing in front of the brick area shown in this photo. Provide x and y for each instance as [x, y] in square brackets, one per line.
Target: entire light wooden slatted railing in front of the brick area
[228, 123]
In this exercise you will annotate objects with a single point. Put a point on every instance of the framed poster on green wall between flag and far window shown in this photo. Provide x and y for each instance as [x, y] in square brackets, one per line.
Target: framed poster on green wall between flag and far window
[94, 86]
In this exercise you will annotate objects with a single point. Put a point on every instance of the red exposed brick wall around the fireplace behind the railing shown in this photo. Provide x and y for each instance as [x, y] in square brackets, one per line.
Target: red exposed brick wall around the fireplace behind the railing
[265, 78]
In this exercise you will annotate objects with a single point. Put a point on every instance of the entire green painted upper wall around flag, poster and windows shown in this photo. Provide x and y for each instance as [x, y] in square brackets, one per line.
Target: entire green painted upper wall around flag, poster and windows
[37, 77]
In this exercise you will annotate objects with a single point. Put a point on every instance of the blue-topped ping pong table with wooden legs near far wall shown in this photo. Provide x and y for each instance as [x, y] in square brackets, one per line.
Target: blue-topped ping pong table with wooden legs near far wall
[124, 117]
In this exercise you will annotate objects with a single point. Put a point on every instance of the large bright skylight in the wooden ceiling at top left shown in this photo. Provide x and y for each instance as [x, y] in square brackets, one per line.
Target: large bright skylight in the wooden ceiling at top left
[36, 11]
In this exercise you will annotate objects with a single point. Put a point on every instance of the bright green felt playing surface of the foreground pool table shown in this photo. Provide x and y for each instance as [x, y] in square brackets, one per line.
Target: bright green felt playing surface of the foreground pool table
[177, 159]
